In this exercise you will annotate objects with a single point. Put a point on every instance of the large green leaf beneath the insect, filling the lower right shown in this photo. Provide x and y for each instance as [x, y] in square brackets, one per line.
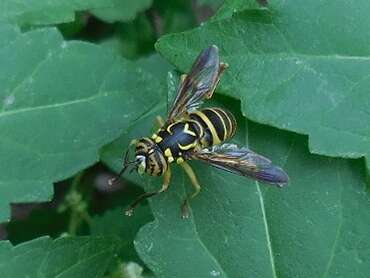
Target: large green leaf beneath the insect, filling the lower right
[314, 227]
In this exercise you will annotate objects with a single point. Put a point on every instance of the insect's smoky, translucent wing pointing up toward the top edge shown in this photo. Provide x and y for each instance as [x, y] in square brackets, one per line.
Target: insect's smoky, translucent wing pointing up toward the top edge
[199, 84]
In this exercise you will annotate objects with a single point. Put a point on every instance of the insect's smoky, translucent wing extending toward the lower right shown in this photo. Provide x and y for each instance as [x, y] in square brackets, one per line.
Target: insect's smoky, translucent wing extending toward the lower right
[244, 162]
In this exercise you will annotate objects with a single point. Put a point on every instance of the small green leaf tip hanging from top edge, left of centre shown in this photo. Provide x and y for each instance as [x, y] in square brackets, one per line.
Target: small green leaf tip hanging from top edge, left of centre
[122, 10]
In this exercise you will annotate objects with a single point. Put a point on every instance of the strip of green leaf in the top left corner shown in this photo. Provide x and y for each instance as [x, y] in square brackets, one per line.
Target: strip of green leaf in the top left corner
[41, 12]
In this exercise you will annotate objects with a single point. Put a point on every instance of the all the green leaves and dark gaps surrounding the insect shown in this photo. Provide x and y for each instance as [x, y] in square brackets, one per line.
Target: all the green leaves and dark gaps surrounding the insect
[80, 79]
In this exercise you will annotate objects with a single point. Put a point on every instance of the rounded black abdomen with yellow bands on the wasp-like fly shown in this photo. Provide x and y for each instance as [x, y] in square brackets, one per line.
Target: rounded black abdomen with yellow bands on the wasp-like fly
[215, 125]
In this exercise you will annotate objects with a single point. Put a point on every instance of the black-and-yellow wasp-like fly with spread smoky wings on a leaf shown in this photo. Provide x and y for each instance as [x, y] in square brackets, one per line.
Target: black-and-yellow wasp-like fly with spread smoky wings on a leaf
[192, 134]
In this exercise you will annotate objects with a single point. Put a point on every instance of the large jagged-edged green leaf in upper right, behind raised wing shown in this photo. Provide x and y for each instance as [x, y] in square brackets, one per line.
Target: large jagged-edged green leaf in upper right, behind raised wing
[300, 66]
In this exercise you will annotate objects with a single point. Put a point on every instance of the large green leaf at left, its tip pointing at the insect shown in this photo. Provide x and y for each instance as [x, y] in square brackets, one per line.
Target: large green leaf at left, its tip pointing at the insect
[61, 102]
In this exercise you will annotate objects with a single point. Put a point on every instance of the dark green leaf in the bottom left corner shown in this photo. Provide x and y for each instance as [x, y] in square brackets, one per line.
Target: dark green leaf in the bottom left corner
[64, 257]
